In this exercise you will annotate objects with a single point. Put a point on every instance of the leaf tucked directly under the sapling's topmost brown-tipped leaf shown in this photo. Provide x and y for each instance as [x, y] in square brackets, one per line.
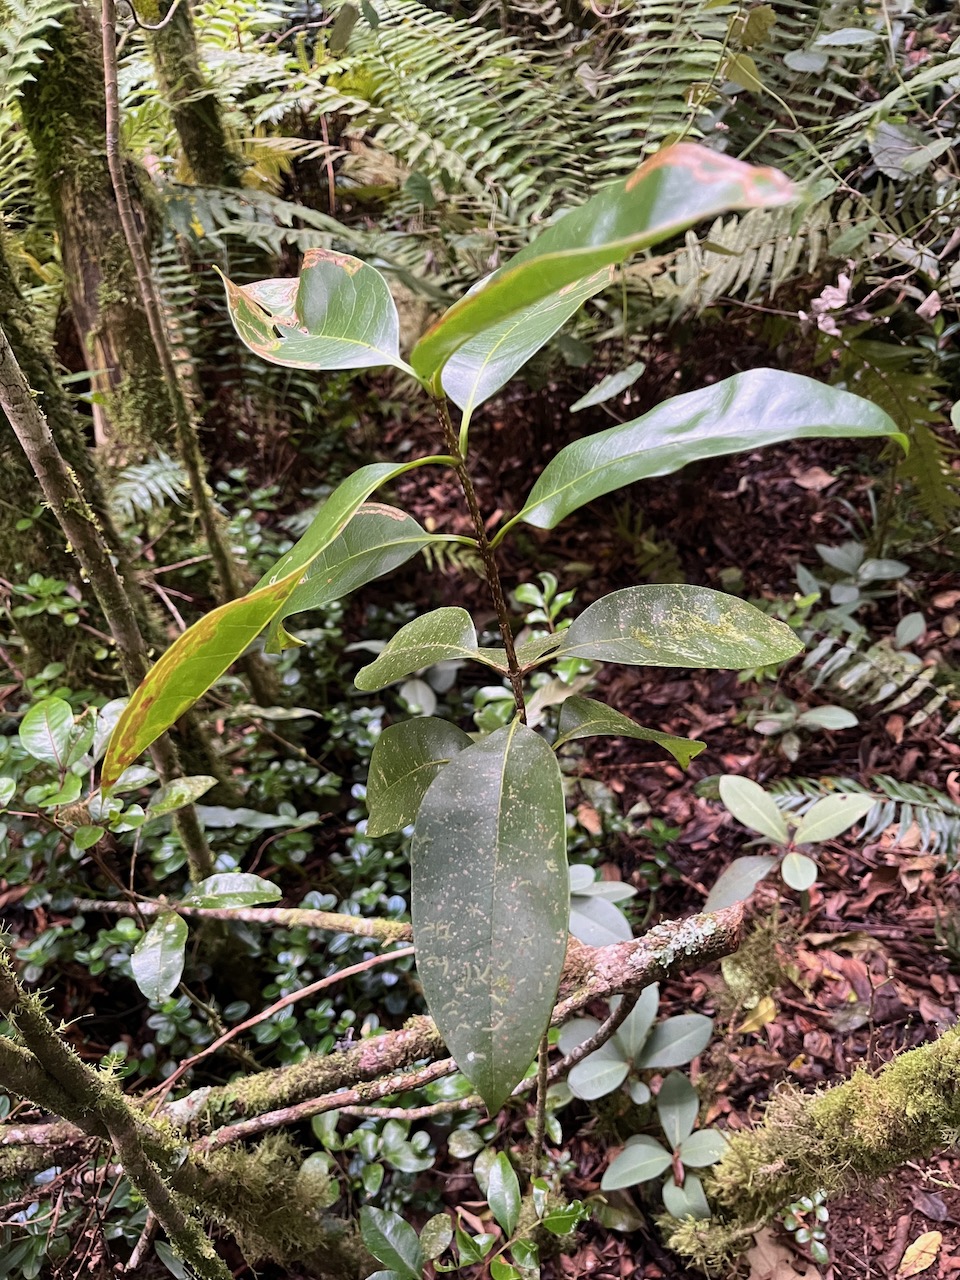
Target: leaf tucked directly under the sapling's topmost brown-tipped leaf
[490, 359]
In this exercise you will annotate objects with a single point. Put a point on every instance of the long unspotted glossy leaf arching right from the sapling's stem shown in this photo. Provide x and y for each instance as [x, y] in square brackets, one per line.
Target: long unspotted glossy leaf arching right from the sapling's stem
[762, 406]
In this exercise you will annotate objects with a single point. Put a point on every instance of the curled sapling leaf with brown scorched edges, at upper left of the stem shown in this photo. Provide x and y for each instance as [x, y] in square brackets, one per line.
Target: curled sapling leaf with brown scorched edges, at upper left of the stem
[337, 316]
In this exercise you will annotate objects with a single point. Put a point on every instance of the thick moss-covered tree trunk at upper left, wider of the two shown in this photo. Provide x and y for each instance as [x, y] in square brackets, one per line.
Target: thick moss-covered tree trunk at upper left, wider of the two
[63, 111]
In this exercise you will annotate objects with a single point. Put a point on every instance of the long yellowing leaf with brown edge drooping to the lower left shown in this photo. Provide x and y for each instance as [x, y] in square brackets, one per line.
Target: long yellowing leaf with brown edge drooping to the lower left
[205, 651]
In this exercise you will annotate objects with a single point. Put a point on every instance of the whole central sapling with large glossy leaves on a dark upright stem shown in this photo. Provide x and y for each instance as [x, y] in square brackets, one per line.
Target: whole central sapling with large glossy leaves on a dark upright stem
[491, 892]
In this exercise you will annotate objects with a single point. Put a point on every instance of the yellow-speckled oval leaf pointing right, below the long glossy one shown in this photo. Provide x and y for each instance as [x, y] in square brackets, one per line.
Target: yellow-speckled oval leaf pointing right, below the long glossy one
[678, 627]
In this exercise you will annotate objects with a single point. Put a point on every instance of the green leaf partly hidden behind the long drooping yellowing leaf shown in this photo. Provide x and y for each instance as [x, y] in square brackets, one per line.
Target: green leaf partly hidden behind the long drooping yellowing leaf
[376, 542]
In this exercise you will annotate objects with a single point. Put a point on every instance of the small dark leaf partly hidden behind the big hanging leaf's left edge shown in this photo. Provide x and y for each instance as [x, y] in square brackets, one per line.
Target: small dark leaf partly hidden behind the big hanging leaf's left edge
[406, 758]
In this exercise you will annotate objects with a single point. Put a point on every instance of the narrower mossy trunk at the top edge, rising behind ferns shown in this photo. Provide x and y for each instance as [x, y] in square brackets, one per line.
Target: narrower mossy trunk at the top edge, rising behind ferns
[193, 102]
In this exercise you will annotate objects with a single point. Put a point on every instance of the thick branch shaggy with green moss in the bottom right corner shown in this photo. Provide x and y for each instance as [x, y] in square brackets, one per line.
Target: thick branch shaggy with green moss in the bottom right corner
[854, 1133]
